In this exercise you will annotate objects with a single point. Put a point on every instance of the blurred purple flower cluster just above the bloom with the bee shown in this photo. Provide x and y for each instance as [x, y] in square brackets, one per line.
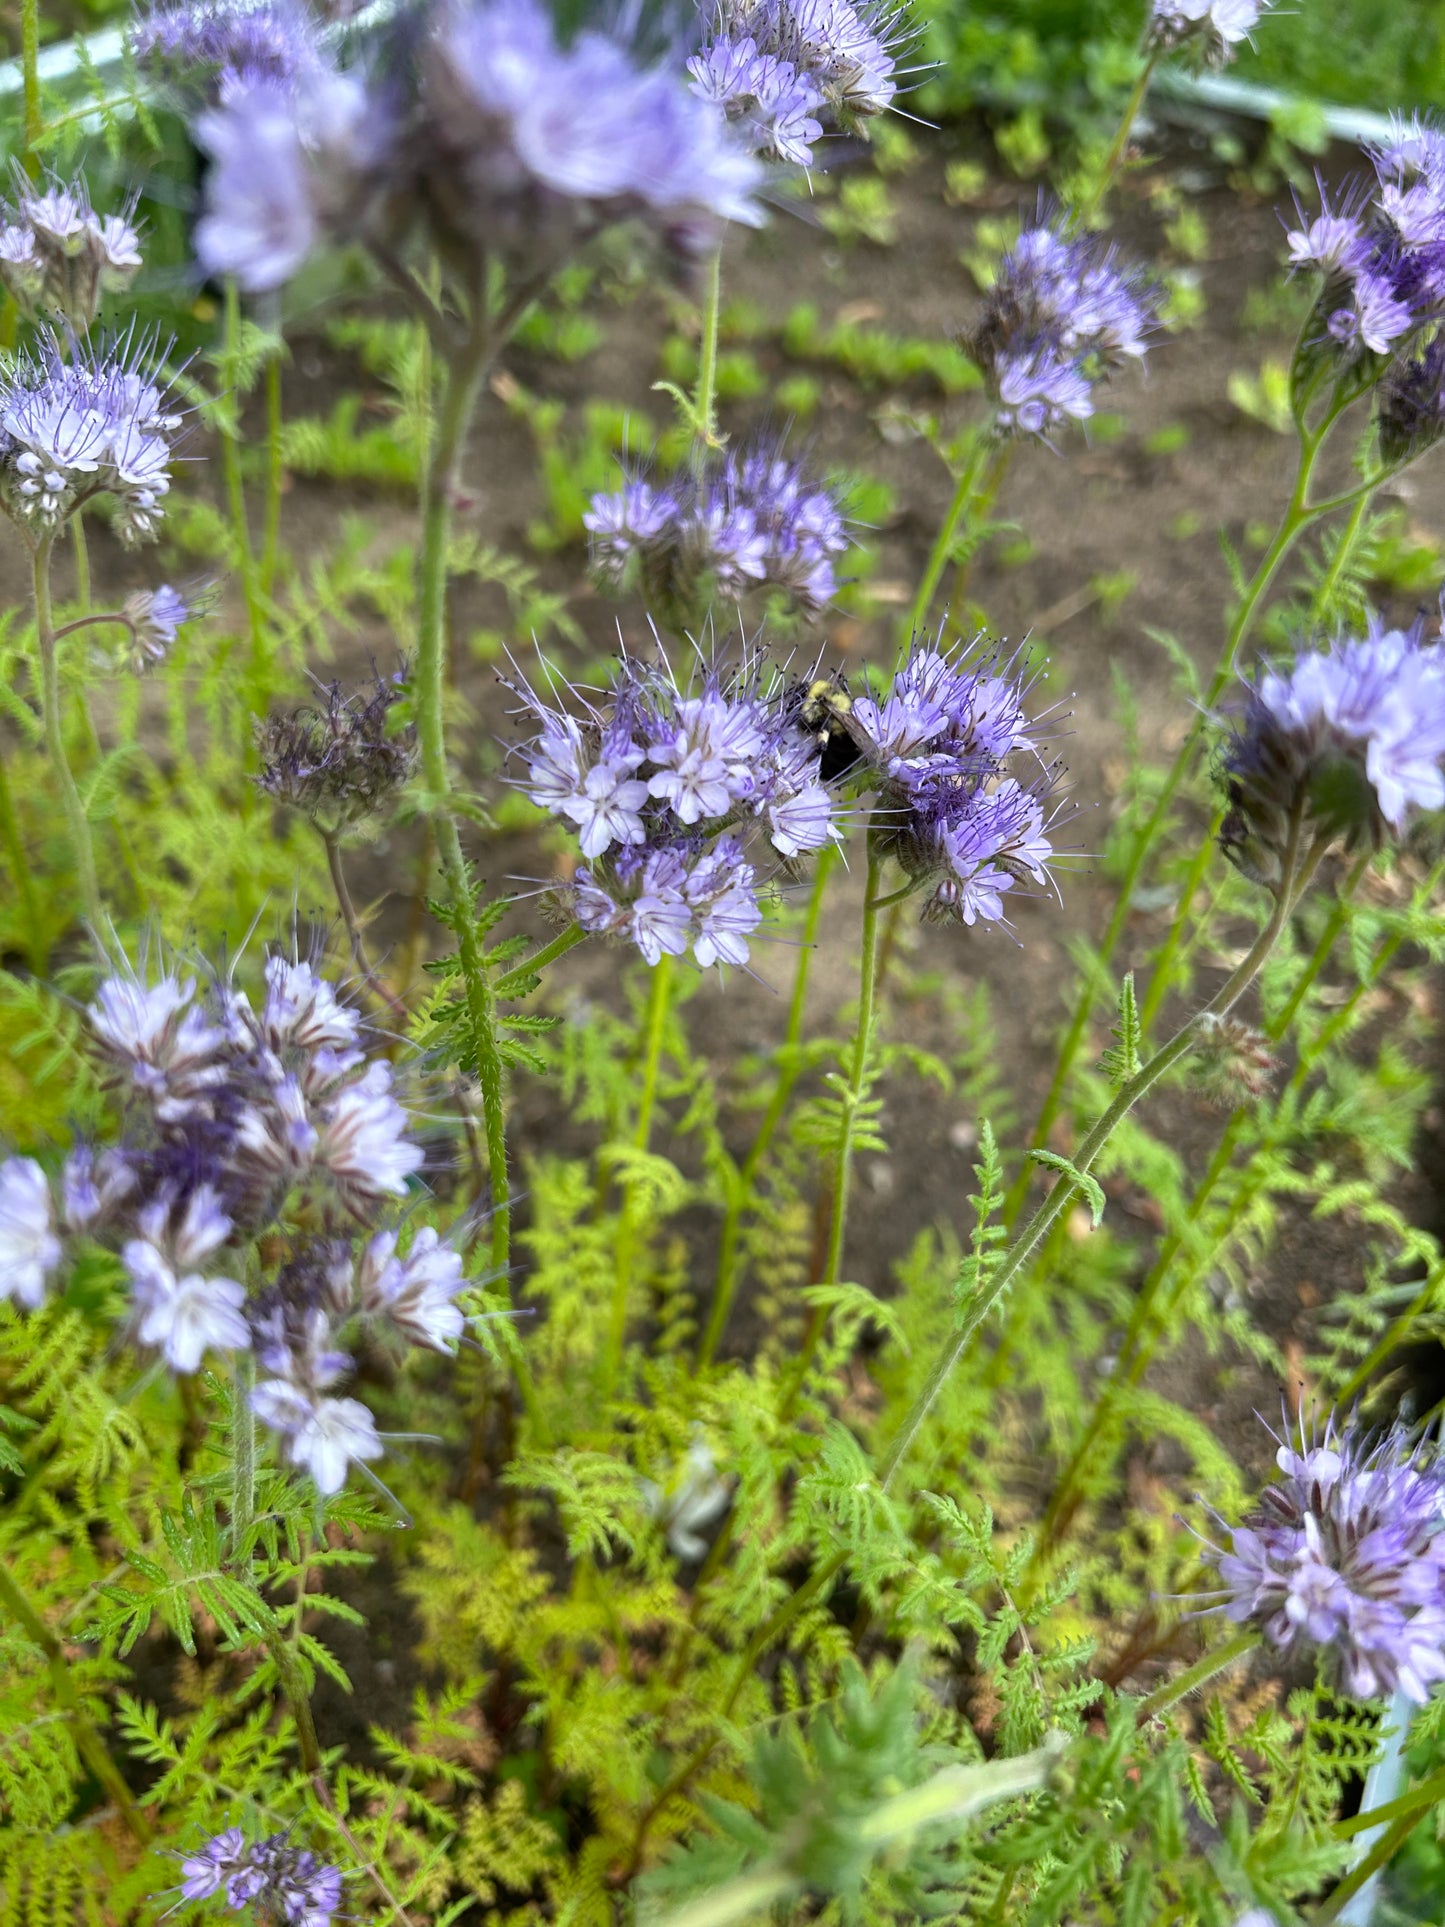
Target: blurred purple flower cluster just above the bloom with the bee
[750, 523]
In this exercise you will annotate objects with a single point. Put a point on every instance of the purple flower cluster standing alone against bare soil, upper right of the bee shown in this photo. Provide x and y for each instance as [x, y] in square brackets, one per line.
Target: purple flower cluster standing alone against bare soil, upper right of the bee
[1061, 317]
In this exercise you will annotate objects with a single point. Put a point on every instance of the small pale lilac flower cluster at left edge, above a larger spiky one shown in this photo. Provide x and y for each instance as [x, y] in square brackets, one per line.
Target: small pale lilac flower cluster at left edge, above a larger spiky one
[61, 257]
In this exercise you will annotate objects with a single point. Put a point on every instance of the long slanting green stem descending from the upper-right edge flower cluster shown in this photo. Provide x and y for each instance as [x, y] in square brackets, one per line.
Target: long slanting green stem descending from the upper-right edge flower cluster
[1300, 515]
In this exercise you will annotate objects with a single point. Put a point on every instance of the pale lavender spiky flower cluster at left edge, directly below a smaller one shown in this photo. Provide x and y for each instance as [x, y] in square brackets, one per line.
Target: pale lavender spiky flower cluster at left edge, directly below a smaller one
[82, 427]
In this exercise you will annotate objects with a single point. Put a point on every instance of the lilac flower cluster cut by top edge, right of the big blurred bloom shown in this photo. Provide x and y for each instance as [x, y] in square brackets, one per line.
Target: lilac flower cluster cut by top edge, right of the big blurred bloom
[783, 70]
